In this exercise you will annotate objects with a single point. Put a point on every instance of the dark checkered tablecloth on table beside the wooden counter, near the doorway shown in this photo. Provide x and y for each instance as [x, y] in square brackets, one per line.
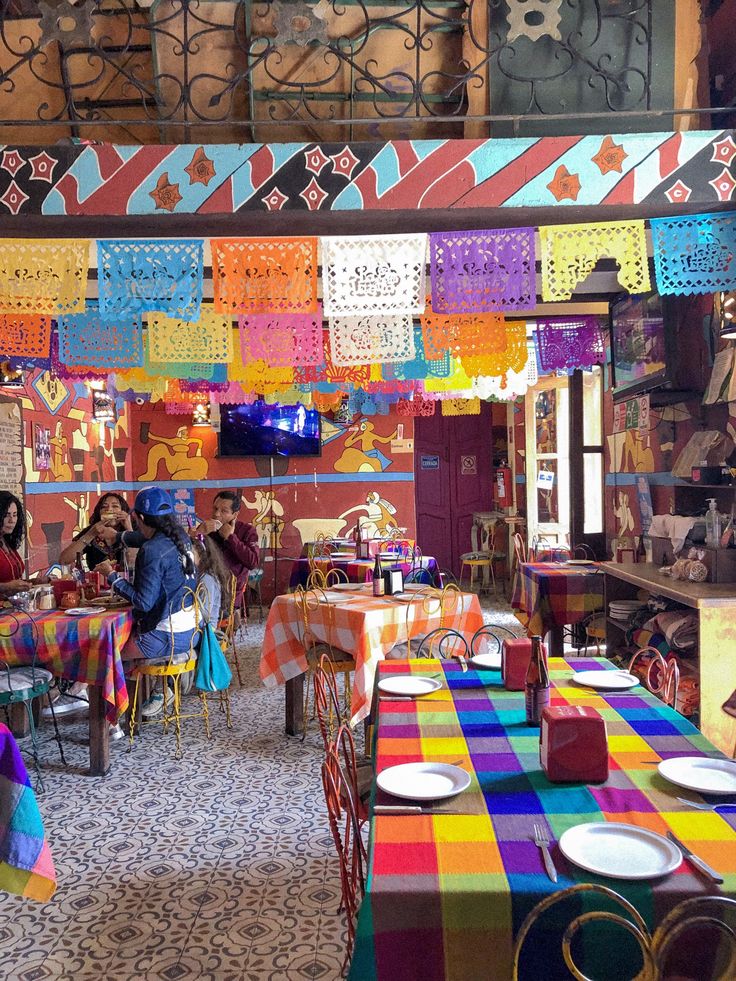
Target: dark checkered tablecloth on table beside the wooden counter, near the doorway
[551, 594]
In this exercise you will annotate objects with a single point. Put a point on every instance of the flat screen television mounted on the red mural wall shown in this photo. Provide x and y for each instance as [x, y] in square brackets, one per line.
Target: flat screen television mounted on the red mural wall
[261, 429]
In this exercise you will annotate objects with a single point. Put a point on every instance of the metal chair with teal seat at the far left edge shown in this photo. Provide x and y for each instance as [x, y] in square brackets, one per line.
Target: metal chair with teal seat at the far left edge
[20, 685]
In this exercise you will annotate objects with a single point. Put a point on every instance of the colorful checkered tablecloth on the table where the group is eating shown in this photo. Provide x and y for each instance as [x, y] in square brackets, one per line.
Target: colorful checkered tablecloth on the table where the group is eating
[85, 648]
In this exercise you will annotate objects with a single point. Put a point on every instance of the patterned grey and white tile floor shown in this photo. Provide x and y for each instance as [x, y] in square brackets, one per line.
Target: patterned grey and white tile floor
[218, 866]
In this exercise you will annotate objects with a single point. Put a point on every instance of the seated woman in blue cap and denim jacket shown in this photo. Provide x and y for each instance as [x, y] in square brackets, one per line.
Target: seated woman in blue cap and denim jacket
[162, 595]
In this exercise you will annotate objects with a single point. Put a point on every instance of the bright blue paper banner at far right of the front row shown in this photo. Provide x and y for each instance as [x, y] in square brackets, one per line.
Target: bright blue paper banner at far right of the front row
[695, 253]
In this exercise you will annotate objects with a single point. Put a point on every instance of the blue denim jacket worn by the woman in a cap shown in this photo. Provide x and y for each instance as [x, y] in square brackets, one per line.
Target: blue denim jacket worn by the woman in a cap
[161, 586]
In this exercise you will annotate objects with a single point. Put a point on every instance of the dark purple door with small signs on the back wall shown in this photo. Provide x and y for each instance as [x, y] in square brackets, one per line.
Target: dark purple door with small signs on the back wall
[453, 479]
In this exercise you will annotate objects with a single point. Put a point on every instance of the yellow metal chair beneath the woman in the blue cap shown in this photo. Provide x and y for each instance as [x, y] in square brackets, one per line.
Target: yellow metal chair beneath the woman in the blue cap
[174, 670]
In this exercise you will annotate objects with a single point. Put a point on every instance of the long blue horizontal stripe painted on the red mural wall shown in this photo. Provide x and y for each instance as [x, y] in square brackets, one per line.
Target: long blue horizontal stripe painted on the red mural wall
[288, 481]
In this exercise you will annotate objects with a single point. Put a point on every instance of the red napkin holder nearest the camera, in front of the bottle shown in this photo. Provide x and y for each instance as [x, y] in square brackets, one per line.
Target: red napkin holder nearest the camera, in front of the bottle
[573, 745]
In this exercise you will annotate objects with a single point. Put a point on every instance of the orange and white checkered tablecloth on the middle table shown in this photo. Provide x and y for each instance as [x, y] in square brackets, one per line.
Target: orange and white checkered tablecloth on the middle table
[364, 626]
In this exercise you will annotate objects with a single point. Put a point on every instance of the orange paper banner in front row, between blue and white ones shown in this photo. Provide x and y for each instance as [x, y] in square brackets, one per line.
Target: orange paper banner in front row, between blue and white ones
[262, 275]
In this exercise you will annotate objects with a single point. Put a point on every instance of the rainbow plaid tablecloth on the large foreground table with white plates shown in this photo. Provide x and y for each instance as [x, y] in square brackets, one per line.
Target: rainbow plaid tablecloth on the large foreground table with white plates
[447, 893]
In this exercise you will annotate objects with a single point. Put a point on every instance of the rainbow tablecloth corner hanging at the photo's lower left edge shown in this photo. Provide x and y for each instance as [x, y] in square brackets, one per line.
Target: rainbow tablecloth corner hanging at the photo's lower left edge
[26, 866]
